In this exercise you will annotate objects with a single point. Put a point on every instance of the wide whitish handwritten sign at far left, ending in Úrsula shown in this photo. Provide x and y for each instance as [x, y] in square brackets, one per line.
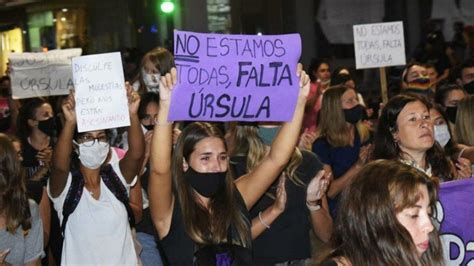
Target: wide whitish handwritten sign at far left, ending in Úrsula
[42, 74]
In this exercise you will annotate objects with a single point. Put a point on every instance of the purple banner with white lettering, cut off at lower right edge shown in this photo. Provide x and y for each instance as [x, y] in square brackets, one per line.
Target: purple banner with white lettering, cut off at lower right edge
[455, 211]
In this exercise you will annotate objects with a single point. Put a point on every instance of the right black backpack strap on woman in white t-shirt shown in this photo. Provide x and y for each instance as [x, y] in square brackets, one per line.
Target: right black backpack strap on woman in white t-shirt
[114, 184]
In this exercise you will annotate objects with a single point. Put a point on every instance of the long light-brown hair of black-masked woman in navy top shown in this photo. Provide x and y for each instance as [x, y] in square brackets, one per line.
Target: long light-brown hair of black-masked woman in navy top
[332, 123]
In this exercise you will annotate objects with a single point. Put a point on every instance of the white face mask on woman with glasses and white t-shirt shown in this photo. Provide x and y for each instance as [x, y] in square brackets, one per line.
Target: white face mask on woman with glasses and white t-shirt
[93, 154]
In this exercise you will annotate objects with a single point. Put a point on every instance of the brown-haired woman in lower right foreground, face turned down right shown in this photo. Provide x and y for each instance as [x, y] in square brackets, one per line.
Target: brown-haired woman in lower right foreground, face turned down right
[385, 219]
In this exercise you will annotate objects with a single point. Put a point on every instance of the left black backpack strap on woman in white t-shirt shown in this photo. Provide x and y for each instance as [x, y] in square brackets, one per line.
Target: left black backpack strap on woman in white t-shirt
[73, 197]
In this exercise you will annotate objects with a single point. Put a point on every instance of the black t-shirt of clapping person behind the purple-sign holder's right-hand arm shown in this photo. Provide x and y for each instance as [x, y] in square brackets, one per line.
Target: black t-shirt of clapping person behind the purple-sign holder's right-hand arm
[288, 236]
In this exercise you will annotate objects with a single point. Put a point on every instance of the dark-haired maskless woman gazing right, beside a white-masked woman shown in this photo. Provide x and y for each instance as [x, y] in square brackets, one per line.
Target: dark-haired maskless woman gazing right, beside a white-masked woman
[405, 133]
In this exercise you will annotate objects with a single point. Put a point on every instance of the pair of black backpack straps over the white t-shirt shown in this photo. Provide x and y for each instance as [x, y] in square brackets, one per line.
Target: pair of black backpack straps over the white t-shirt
[113, 183]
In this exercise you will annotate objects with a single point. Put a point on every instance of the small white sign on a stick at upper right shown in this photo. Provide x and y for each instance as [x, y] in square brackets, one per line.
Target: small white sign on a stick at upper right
[379, 45]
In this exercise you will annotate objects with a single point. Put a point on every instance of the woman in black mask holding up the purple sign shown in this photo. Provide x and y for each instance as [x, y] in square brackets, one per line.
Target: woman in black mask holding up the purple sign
[204, 216]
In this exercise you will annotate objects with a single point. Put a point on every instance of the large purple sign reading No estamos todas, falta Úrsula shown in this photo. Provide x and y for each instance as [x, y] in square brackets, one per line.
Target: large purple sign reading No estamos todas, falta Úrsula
[235, 77]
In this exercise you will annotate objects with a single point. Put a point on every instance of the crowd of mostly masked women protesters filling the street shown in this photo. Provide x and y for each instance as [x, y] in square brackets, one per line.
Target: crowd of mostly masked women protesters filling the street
[197, 193]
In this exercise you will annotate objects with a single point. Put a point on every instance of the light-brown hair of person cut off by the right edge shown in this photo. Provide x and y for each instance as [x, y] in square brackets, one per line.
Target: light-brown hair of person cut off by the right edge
[464, 121]
